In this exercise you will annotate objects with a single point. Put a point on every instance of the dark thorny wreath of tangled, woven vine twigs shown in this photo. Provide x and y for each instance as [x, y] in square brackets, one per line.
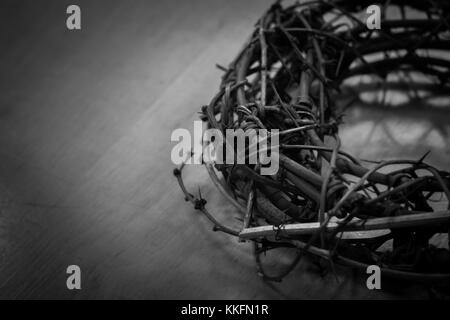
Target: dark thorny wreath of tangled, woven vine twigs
[289, 76]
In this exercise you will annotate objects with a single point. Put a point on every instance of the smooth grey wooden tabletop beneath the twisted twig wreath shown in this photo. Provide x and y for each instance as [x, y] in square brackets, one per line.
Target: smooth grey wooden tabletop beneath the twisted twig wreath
[85, 169]
